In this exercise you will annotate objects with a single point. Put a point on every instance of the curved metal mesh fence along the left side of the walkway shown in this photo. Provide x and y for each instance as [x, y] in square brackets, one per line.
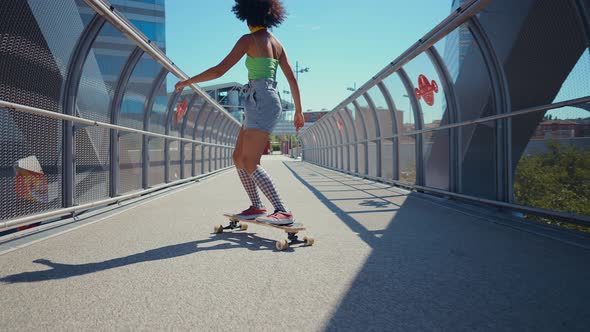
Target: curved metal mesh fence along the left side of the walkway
[89, 116]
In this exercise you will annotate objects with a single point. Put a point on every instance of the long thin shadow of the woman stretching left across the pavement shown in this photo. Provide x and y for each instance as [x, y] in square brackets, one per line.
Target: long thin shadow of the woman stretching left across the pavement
[63, 271]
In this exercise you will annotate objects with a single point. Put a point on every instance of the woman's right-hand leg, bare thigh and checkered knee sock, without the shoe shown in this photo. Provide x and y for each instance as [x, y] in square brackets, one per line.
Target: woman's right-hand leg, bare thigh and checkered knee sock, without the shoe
[254, 143]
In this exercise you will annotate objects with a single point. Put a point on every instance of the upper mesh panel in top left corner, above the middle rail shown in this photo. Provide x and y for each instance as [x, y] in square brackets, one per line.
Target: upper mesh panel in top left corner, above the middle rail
[36, 42]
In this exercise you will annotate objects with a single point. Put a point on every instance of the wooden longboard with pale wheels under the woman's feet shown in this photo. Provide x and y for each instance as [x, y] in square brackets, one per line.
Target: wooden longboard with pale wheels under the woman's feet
[291, 230]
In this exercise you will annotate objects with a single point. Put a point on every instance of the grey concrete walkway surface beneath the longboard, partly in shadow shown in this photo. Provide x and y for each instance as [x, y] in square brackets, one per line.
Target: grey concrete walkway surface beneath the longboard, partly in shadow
[384, 260]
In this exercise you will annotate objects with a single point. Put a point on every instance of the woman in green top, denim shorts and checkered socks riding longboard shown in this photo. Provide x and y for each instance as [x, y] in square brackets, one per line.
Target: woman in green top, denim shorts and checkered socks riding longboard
[263, 107]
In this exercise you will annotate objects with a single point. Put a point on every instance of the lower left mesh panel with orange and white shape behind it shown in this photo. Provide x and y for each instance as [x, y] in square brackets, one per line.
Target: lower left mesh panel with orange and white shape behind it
[32, 185]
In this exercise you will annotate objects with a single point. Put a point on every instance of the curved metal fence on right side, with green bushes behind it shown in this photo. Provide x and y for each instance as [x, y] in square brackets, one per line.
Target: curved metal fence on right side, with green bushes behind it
[492, 106]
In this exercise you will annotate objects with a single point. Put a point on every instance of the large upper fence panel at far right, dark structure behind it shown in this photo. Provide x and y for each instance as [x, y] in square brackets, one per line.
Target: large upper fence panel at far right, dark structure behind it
[543, 41]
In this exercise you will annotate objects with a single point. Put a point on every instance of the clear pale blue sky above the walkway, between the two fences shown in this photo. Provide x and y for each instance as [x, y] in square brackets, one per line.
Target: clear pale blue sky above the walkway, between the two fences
[342, 42]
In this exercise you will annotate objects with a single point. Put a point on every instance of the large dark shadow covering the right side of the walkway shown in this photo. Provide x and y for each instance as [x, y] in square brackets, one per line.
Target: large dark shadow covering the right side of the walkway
[437, 270]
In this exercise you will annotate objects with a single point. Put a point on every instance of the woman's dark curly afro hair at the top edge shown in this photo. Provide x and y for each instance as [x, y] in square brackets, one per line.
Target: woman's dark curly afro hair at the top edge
[266, 13]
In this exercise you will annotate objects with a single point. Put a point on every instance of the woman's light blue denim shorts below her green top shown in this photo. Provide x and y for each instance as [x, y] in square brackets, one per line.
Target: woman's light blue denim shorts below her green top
[263, 106]
